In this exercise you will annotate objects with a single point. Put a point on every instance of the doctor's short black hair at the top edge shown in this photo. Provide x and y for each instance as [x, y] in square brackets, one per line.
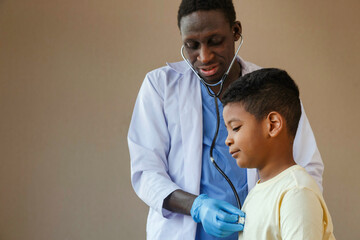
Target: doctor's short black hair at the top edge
[189, 6]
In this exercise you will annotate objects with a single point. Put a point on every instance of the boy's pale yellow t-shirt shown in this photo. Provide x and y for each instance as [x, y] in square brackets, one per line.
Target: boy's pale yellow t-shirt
[288, 206]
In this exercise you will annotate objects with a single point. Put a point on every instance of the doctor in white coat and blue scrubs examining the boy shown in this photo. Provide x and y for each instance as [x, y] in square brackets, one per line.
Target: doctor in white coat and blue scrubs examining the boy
[172, 127]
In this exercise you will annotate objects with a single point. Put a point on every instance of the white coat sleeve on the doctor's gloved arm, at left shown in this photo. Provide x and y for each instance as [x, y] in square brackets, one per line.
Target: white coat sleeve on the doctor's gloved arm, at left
[149, 141]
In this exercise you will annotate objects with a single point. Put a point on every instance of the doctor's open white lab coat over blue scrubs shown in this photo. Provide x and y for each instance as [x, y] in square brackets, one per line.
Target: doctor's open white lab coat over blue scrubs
[165, 144]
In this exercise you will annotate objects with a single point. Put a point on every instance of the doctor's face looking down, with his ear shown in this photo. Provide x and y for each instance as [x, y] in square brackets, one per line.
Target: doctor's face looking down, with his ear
[209, 41]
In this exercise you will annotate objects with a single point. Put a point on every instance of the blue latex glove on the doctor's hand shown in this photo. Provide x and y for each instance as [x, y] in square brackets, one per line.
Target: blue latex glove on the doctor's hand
[219, 218]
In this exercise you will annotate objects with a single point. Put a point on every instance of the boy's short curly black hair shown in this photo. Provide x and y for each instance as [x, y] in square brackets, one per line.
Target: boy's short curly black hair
[264, 91]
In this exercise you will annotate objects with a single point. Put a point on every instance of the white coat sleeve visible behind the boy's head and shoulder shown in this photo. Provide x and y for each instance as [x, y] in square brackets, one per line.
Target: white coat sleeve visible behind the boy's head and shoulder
[305, 150]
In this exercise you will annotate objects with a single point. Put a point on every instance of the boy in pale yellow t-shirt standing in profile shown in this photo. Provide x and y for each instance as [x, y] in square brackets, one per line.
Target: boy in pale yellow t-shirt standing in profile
[261, 113]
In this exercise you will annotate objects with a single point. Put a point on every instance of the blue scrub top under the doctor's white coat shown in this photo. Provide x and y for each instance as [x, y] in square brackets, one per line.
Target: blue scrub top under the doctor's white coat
[212, 182]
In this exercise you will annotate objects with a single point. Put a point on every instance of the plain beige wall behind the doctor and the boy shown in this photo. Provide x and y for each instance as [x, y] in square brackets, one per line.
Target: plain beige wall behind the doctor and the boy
[69, 76]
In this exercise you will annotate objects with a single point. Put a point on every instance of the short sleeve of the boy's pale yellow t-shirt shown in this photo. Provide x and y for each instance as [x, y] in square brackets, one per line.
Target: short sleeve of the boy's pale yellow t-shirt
[301, 215]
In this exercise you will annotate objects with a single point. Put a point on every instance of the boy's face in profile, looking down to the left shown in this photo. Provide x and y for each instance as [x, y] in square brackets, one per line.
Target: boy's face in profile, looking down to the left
[247, 137]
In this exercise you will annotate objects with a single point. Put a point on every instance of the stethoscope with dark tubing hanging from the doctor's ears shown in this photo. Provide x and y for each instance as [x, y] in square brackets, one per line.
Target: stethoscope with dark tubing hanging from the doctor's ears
[215, 96]
